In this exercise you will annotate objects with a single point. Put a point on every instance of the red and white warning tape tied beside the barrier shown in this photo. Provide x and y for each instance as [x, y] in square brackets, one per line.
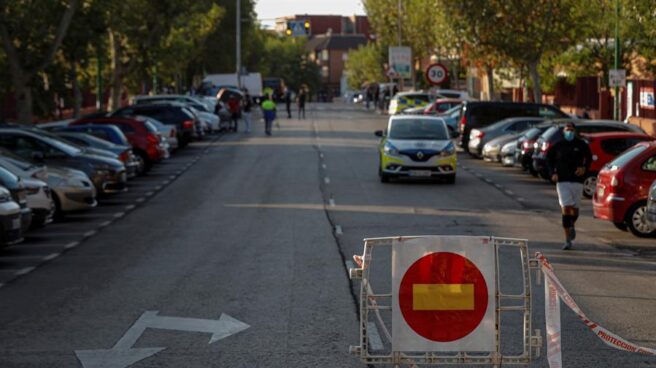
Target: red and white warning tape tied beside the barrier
[554, 291]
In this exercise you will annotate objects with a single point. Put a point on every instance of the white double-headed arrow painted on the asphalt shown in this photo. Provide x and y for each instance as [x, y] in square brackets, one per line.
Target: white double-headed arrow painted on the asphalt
[123, 355]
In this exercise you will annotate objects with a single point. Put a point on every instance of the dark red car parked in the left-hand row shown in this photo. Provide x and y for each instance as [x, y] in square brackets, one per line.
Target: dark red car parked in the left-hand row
[142, 135]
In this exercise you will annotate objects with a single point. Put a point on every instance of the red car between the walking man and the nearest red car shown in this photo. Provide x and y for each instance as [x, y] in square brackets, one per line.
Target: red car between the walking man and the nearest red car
[605, 147]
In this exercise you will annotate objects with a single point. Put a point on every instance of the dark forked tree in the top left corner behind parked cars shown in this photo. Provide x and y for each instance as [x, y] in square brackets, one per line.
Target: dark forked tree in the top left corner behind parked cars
[30, 45]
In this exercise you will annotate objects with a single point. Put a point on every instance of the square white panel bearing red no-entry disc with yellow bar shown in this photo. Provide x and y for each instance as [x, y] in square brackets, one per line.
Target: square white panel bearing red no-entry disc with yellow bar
[443, 294]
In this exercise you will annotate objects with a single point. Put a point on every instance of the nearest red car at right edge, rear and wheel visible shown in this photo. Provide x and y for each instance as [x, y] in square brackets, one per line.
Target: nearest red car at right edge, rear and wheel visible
[623, 187]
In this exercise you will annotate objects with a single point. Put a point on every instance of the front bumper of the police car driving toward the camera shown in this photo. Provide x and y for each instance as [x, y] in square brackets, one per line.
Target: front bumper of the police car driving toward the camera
[434, 167]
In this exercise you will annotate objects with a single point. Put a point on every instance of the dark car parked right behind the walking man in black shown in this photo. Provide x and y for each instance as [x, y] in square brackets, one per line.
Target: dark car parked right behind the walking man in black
[554, 135]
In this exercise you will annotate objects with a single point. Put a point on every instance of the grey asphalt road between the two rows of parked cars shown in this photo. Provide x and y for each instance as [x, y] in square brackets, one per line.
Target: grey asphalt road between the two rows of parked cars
[248, 248]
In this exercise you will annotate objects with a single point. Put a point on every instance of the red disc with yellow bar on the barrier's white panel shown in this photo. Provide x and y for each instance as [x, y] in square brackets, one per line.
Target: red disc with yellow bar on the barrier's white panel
[443, 297]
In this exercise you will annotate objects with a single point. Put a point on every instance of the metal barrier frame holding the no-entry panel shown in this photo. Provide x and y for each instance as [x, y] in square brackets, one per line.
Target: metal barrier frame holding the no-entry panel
[373, 306]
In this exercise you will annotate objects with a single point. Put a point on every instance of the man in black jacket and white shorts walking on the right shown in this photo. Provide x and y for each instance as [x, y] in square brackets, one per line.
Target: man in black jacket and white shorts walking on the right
[569, 161]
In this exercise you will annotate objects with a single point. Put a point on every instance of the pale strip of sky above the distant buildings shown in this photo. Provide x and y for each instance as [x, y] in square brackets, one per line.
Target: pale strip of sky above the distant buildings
[268, 10]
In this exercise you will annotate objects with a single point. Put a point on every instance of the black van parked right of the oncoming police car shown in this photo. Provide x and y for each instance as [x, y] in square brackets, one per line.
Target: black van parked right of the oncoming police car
[480, 114]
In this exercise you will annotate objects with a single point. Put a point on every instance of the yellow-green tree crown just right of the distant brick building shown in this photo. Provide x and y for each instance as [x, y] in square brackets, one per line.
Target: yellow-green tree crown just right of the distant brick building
[365, 65]
